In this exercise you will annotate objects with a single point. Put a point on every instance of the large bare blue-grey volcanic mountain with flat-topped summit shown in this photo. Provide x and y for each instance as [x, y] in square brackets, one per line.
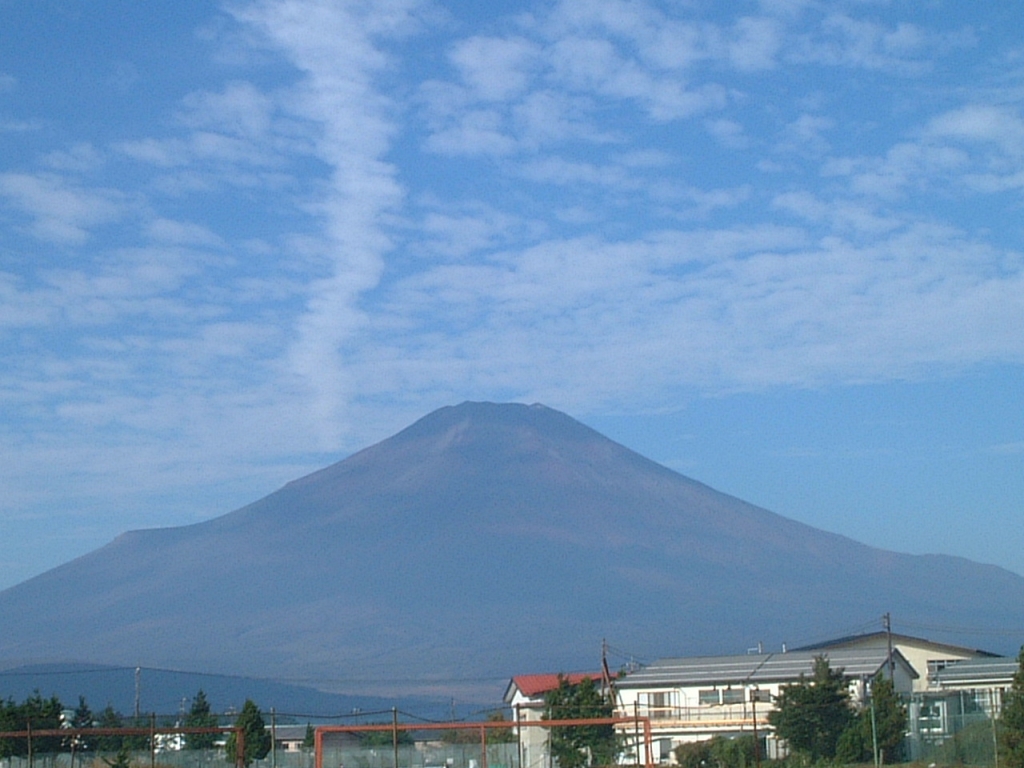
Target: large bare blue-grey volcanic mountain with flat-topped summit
[484, 541]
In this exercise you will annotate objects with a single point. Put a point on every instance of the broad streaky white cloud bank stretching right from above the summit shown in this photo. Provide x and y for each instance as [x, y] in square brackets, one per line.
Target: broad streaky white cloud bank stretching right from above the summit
[710, 309]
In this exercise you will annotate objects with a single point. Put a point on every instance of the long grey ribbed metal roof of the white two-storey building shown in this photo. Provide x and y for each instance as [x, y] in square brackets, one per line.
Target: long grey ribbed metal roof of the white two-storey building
[761, 668]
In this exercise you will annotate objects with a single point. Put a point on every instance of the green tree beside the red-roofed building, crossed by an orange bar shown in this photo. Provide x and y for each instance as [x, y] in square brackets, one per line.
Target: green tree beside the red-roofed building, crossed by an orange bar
[577, 746]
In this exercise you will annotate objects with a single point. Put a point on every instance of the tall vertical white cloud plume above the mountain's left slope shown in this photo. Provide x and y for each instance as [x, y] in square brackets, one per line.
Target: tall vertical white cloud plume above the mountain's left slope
[335, 46]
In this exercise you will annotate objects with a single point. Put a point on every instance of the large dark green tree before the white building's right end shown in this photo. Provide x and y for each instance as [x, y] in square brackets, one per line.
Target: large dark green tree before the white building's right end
[812, 715]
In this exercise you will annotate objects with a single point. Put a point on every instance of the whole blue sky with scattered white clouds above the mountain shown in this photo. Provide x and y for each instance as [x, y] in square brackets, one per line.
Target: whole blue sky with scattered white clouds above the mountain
[779, 247]
